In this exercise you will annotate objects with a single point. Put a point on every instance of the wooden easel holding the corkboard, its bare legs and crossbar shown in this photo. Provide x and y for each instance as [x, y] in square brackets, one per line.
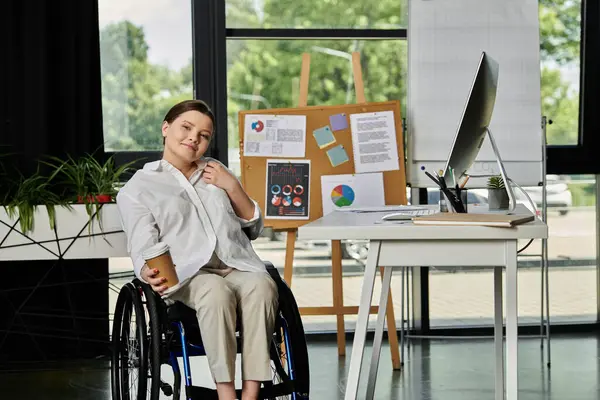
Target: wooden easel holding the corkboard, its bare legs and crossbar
[338, 309]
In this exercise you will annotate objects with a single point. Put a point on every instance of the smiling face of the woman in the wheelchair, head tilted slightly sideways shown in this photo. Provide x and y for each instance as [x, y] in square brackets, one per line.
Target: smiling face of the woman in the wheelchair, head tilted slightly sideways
[188, 136]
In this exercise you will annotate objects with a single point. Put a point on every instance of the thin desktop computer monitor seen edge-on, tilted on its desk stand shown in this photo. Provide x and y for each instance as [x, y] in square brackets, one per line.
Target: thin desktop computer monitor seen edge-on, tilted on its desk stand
[474, 125]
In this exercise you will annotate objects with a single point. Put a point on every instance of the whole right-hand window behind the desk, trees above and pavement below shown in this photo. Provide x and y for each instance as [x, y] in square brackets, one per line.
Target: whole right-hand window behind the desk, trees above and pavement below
[461, 296]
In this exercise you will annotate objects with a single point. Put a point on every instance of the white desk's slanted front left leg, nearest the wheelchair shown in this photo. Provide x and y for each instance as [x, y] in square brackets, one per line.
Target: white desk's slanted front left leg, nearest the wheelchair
[360, 334]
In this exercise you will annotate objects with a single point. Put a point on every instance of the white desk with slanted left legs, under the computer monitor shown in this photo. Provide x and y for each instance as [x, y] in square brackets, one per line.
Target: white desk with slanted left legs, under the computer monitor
[408, 245]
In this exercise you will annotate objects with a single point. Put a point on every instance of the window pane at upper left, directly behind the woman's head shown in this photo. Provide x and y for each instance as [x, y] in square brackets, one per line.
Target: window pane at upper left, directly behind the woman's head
[146, 67]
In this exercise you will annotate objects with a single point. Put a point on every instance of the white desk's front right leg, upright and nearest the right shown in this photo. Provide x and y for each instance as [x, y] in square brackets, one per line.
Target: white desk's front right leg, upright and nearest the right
[512, 312]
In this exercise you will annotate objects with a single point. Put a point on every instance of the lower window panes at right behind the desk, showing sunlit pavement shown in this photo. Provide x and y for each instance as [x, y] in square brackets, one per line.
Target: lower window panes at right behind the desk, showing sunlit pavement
[464, 297]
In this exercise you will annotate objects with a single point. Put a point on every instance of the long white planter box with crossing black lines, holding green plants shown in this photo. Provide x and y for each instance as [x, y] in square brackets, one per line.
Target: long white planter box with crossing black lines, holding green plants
[75, 237]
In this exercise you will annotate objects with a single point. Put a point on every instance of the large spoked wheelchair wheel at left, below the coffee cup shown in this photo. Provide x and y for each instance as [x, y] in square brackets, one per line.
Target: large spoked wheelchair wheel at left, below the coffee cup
[134, 353]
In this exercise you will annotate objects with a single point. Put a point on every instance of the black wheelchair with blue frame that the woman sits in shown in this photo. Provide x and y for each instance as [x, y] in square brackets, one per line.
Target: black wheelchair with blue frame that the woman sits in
[147, 334]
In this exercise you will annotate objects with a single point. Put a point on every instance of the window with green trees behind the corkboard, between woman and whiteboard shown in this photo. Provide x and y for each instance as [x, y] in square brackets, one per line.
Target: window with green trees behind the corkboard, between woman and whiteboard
[265, 43]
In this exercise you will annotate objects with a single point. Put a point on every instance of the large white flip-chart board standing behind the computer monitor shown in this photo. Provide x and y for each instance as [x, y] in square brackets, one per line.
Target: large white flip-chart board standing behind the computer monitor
[445, 41]
